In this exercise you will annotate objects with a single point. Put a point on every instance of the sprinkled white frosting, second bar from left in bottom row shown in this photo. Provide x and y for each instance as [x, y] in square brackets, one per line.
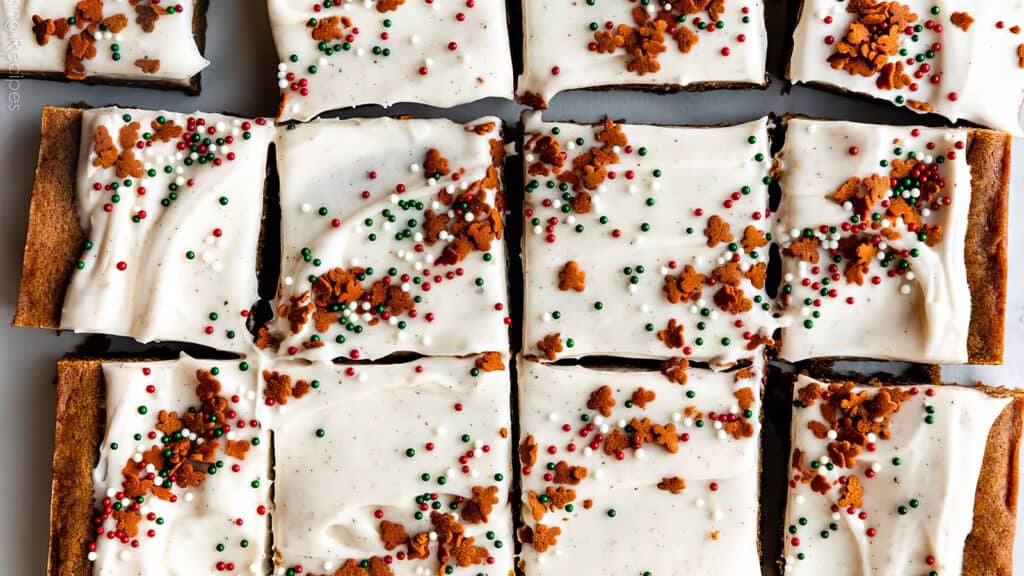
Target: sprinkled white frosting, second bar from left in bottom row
[403, 466]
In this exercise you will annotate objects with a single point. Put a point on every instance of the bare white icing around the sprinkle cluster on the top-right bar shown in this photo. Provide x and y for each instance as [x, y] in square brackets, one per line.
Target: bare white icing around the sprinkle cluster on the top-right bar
[980, 66]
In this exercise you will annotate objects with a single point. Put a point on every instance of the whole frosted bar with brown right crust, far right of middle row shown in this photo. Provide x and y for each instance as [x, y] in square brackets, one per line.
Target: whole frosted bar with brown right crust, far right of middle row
[894, 242]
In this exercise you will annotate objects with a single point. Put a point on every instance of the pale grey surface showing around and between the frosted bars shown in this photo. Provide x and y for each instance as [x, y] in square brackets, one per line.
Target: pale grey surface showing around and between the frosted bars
[242, 80]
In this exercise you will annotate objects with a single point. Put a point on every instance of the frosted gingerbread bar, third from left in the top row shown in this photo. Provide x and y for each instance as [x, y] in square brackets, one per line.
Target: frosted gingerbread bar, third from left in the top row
[692, 45]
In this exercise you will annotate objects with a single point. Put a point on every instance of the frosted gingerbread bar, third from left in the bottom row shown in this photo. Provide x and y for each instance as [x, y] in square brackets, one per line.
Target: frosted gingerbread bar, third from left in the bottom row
[639, 473]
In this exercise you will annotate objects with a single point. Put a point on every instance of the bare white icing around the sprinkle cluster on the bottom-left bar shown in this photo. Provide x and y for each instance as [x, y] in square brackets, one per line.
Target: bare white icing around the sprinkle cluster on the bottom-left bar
[186, 533]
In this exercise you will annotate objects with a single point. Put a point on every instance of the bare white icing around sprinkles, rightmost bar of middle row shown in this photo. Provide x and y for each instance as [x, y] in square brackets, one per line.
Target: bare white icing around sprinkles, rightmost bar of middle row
[923, 316]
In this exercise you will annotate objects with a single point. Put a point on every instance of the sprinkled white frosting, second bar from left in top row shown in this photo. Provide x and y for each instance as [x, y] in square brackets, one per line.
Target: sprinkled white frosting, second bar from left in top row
[340, 54]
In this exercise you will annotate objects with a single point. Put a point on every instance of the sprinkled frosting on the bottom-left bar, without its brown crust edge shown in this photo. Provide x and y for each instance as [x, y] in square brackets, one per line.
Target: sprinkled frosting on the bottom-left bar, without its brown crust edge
[204, 483]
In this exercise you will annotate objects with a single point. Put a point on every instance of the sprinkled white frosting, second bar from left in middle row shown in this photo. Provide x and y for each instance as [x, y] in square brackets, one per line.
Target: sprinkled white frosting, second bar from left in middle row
[392, 239]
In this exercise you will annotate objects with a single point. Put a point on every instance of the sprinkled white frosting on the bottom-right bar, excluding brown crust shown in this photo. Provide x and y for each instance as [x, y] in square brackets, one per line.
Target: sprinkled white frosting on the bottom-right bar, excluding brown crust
[883, 479]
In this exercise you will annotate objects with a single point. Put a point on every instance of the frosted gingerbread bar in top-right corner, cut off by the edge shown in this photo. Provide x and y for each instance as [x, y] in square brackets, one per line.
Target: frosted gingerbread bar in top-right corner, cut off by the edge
[960, 60]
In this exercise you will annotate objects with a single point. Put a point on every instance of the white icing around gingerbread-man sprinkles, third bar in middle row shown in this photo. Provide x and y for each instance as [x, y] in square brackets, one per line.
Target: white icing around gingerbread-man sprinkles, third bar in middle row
[702, 170]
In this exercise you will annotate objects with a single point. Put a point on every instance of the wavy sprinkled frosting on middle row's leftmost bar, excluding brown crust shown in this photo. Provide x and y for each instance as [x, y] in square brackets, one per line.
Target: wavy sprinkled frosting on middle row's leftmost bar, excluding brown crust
[172, 205]
